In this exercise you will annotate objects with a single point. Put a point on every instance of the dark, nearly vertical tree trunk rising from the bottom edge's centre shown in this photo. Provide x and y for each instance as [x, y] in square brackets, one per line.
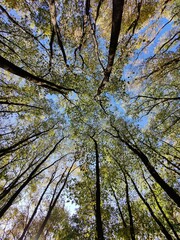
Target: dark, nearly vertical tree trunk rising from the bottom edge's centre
[99, 227]
